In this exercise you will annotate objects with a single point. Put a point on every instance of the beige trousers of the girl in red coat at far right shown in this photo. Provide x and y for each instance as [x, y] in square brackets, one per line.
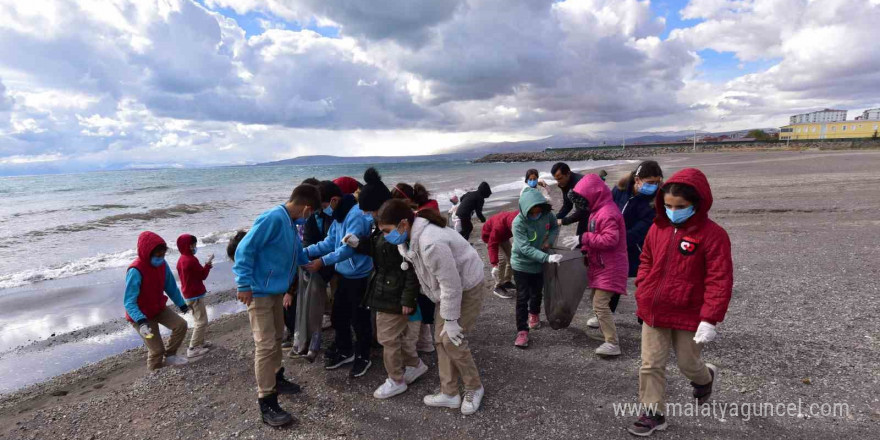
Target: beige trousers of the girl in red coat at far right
[656, 344]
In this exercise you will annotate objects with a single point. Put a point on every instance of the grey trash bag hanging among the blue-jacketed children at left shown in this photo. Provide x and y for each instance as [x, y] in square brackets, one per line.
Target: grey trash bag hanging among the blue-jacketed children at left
[311, 297]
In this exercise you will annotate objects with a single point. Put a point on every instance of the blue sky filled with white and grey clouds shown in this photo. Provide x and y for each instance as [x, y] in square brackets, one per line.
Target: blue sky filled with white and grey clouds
[108, 84]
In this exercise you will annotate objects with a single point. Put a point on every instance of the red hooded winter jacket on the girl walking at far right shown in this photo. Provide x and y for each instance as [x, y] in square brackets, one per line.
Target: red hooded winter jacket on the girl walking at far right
[686, 275]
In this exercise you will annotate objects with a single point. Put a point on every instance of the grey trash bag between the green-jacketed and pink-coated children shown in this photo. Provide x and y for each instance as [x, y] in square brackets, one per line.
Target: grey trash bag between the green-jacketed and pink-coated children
[564, 286]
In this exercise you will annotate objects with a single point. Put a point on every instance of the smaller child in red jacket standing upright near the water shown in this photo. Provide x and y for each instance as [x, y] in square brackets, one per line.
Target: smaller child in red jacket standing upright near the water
[192, 276]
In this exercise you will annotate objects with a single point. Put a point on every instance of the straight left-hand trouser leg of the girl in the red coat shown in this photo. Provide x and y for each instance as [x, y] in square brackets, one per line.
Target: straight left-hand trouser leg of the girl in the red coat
[656, 343]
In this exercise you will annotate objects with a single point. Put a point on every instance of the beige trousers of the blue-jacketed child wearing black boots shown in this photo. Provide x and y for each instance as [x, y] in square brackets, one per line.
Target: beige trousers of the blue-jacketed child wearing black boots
[267, 324]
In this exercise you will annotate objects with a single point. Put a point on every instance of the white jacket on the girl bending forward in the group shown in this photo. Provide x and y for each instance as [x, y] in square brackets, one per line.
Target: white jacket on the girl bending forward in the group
[445, 263]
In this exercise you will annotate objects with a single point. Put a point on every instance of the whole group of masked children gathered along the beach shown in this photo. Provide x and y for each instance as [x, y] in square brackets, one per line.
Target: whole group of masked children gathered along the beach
[389, 251]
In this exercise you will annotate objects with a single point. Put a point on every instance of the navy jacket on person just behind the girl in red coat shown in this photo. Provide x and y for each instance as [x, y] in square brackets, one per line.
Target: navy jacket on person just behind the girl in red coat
[638, 215]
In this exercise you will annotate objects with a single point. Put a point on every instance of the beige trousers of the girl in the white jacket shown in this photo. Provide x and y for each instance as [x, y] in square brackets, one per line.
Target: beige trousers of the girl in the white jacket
[456, 361]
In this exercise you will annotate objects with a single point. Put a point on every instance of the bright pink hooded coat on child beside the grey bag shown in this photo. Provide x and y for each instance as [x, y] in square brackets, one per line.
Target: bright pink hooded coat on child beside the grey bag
[605, 239]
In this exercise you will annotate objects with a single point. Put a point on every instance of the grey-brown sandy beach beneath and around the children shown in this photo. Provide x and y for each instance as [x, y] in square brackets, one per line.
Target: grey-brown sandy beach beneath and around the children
[803, 328]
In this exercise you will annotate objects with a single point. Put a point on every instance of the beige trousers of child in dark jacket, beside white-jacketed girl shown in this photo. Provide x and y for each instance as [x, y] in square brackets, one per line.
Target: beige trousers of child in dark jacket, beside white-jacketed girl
[398, 336]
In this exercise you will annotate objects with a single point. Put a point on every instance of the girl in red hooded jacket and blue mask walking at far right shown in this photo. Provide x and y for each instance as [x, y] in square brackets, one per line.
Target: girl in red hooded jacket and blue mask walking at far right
[684, 286]
